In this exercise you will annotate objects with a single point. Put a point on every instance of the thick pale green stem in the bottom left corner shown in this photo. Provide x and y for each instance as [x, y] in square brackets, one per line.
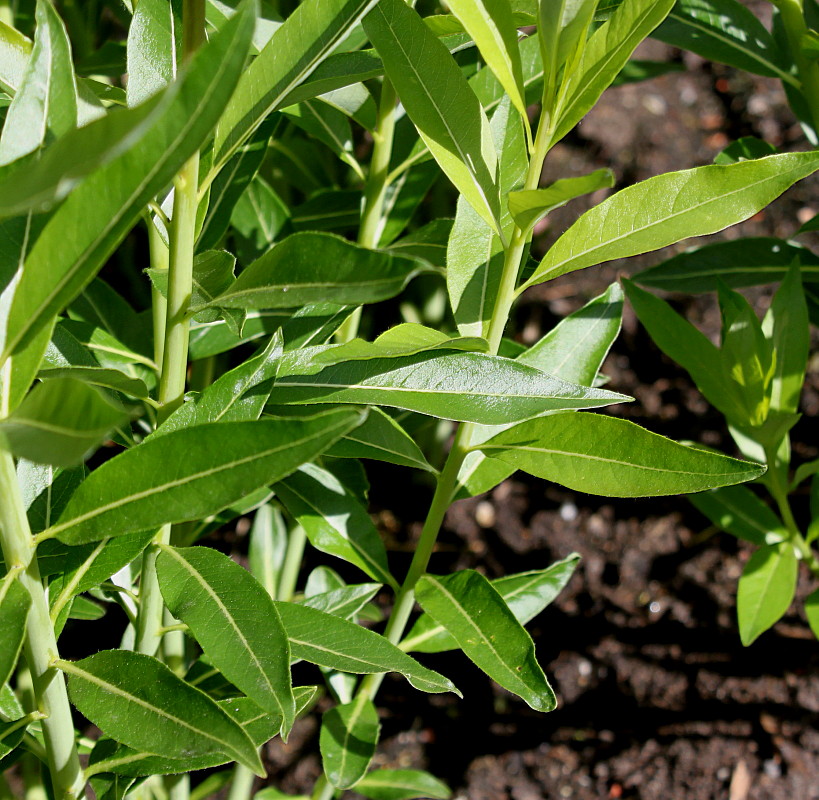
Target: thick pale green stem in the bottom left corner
[41, 643]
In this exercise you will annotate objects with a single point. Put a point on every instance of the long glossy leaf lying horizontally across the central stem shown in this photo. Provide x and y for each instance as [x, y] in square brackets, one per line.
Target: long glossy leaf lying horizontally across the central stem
[470, 387]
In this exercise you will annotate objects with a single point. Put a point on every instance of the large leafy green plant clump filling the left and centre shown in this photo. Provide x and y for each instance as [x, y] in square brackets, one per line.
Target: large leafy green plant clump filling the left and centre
[211, 150]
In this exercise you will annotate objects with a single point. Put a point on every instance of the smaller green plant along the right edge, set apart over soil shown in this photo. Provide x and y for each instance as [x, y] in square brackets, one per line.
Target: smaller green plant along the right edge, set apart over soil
[755, 378]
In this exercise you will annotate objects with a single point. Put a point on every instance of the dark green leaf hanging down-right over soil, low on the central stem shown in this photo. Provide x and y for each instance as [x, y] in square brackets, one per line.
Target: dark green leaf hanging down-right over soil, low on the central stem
[473, 611]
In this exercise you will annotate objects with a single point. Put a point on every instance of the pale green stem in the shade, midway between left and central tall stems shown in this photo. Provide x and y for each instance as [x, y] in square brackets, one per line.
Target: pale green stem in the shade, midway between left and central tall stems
[375, 190]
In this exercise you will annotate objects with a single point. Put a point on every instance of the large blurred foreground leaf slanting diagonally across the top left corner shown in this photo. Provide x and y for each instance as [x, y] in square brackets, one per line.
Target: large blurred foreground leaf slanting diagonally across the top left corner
[81, 234]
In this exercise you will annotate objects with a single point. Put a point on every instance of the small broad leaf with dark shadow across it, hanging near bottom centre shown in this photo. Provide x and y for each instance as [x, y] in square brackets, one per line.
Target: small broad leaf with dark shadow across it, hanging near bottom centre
[349, 735]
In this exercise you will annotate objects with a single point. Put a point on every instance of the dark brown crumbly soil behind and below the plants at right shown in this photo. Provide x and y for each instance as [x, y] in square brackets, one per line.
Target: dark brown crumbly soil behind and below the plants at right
[658, 699]
